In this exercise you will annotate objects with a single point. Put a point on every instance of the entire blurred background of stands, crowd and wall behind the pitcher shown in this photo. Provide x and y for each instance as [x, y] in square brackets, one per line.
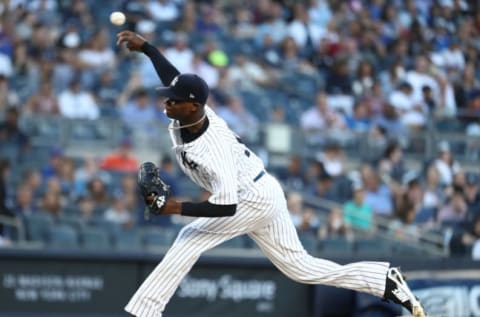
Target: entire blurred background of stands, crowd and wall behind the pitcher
[367, 111]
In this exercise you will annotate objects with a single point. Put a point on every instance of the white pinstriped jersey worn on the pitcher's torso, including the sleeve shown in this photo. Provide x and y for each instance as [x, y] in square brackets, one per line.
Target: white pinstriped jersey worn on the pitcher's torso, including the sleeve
[217, 161]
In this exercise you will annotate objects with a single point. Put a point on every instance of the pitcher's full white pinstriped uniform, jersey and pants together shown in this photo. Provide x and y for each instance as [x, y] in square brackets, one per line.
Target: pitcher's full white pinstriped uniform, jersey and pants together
[222, 165]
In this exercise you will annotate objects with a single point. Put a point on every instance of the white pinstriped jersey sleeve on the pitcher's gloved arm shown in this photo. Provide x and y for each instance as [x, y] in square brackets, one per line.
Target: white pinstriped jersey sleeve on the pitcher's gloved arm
[225, 179]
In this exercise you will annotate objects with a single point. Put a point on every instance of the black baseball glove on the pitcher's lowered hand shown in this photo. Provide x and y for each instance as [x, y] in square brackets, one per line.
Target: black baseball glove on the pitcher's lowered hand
[153, 189]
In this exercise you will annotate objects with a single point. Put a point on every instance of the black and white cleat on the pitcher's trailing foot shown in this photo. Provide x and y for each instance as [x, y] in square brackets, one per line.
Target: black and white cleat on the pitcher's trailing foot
[397, 291]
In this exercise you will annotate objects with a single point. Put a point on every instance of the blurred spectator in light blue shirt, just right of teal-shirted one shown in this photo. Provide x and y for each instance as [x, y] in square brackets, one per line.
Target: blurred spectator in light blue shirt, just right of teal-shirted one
[378, 195]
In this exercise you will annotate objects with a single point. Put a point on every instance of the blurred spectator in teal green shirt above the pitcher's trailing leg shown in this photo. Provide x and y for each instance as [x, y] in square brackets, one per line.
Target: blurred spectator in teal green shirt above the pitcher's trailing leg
[356, 213]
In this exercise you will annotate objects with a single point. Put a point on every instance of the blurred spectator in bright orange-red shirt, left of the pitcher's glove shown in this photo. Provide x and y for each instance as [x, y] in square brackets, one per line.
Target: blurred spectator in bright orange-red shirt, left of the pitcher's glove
[122, 160]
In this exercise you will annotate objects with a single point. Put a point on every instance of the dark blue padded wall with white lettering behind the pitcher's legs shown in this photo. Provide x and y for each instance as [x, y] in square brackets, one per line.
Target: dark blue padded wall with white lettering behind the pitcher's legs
[46, 283]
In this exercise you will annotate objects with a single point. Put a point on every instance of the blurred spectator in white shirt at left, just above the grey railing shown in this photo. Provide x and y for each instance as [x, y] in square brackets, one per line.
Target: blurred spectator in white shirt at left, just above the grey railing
[76, 103]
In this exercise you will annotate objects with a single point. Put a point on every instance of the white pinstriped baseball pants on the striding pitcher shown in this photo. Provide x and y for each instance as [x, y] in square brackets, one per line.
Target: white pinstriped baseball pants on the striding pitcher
[265, 218]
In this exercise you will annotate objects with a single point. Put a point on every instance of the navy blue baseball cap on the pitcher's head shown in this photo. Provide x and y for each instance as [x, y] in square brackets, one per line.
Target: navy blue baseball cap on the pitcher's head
[186, 87]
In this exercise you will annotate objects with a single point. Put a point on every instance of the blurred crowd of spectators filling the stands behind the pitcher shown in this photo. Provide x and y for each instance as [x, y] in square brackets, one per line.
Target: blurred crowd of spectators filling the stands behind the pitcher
[333, 69]
